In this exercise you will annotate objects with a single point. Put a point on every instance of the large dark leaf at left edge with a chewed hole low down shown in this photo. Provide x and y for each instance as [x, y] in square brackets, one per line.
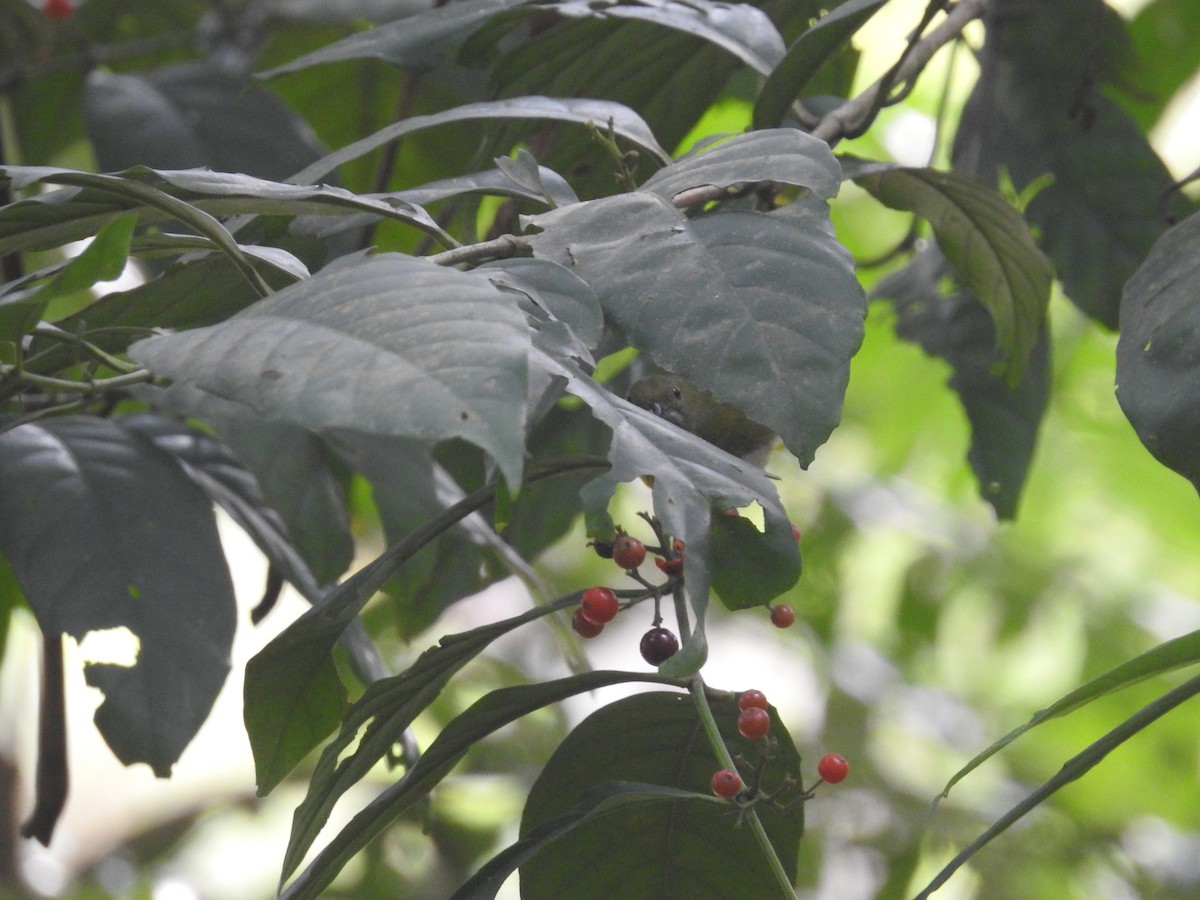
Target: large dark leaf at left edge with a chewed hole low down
[105, 532]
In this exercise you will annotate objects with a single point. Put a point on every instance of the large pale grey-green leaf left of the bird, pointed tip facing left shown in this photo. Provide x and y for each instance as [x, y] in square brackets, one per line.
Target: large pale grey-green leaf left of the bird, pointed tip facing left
[387, 345]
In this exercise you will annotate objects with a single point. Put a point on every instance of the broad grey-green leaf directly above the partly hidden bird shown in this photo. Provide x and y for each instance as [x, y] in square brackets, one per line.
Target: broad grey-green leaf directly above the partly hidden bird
[764, 310]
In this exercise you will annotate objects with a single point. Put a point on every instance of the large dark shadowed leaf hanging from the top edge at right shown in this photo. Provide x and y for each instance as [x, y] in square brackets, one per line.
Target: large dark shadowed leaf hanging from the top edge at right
[1035, 112]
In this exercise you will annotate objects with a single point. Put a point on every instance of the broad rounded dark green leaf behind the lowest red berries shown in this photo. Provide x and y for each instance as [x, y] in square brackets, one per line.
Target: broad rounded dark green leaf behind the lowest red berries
[658, 739]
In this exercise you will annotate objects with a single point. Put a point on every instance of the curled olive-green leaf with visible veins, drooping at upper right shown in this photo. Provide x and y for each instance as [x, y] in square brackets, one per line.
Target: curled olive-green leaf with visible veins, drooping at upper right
[988, 243]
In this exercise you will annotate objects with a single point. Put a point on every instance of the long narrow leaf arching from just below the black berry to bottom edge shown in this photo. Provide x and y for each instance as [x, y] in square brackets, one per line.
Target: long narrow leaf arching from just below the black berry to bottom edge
[483, 718]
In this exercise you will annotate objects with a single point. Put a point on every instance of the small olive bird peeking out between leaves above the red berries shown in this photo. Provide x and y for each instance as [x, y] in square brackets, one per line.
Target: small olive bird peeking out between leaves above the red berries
[683, 404]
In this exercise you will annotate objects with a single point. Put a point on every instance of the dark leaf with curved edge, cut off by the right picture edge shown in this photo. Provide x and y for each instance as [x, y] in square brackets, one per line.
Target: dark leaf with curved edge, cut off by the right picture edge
[1157, 352]
